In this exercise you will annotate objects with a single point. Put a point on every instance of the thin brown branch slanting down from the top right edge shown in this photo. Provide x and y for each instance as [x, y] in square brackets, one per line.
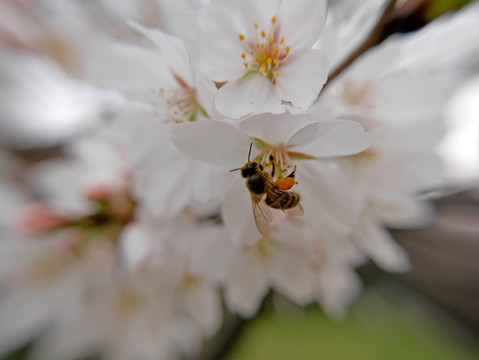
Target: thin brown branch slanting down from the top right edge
[375, 37]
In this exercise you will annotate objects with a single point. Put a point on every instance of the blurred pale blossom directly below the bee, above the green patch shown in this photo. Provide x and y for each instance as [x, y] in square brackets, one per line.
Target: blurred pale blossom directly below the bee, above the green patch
[294, 261]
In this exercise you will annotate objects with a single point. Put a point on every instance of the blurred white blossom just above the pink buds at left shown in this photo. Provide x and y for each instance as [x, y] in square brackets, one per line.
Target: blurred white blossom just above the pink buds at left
[92, 164]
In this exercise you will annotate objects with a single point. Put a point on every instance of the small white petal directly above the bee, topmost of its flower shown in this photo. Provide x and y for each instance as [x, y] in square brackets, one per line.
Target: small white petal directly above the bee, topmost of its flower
[275, 129]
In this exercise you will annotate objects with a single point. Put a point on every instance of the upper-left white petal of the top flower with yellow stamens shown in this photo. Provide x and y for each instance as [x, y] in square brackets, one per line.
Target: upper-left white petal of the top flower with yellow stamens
[213, 44]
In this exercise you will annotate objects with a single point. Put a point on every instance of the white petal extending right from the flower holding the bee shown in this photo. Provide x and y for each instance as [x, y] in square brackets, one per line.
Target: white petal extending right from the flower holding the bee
[339, 138]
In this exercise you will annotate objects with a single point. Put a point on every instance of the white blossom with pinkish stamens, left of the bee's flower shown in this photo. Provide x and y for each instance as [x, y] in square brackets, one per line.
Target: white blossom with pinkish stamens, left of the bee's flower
[166, 91]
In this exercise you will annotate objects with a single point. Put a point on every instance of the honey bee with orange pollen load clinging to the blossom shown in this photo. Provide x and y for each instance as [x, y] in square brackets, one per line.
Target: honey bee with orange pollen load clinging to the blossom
[277, 197]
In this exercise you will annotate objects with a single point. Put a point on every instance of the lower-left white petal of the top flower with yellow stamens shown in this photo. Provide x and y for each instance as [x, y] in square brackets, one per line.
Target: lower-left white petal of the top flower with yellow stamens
[249, 95]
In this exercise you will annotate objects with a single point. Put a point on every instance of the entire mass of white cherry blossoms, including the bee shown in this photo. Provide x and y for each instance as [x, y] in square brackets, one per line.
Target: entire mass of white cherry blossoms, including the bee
[213, 165]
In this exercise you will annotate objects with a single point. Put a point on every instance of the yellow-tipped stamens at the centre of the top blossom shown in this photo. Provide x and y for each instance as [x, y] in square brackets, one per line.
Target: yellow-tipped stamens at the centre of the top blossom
[265, 51]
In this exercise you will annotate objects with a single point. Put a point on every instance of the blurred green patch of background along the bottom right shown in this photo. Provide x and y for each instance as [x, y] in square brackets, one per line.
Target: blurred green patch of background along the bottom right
[379, 327]
